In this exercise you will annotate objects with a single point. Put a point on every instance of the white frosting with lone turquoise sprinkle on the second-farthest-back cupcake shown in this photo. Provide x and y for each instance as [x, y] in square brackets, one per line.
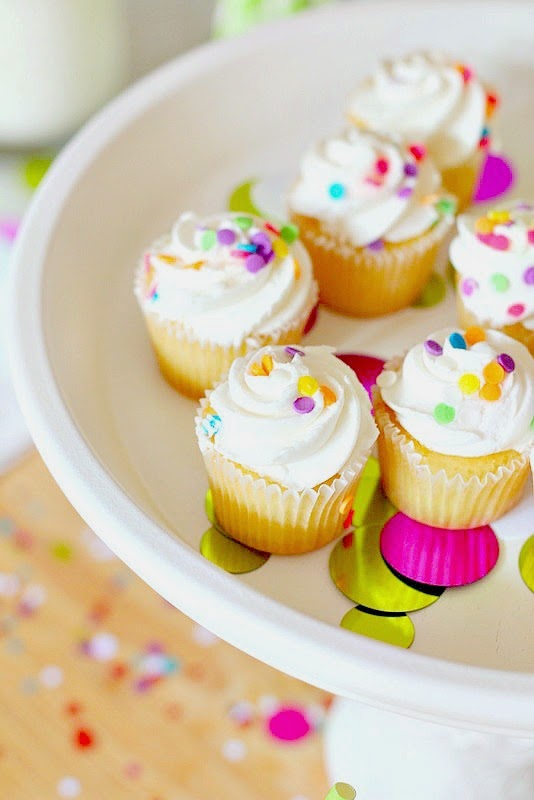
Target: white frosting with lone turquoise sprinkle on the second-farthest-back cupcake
[370, 189]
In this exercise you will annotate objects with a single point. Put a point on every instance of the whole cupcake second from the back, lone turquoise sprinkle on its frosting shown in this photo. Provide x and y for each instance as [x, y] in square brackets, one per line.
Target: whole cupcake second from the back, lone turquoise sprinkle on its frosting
[372, 215]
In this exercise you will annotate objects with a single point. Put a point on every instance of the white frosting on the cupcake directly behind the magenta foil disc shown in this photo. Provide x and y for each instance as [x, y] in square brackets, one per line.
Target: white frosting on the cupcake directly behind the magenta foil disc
[464, 394]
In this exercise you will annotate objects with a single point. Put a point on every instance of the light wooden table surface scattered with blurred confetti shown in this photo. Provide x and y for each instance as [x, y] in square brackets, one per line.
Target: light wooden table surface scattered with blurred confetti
[109, 693]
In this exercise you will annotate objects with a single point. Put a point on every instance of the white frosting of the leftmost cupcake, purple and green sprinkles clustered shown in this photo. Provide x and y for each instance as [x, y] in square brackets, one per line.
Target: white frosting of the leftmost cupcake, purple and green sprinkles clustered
[227, 278]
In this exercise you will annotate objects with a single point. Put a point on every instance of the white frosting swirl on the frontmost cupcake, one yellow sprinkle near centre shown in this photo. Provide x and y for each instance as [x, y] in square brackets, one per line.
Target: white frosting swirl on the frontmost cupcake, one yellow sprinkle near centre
[298, 416]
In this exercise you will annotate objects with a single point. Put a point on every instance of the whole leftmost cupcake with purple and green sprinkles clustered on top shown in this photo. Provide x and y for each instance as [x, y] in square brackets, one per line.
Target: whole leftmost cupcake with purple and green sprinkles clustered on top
[218, 287]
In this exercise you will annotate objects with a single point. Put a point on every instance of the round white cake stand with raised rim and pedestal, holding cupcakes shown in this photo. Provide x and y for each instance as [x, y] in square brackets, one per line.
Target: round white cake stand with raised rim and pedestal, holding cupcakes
[453, 716]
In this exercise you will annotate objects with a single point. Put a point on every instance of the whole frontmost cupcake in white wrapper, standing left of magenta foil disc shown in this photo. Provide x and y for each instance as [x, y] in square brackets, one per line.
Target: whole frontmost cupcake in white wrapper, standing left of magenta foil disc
[284, 438]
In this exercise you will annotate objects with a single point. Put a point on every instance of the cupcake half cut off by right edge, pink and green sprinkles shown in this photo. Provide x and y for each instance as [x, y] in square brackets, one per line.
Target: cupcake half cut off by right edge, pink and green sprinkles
[493, 255]
